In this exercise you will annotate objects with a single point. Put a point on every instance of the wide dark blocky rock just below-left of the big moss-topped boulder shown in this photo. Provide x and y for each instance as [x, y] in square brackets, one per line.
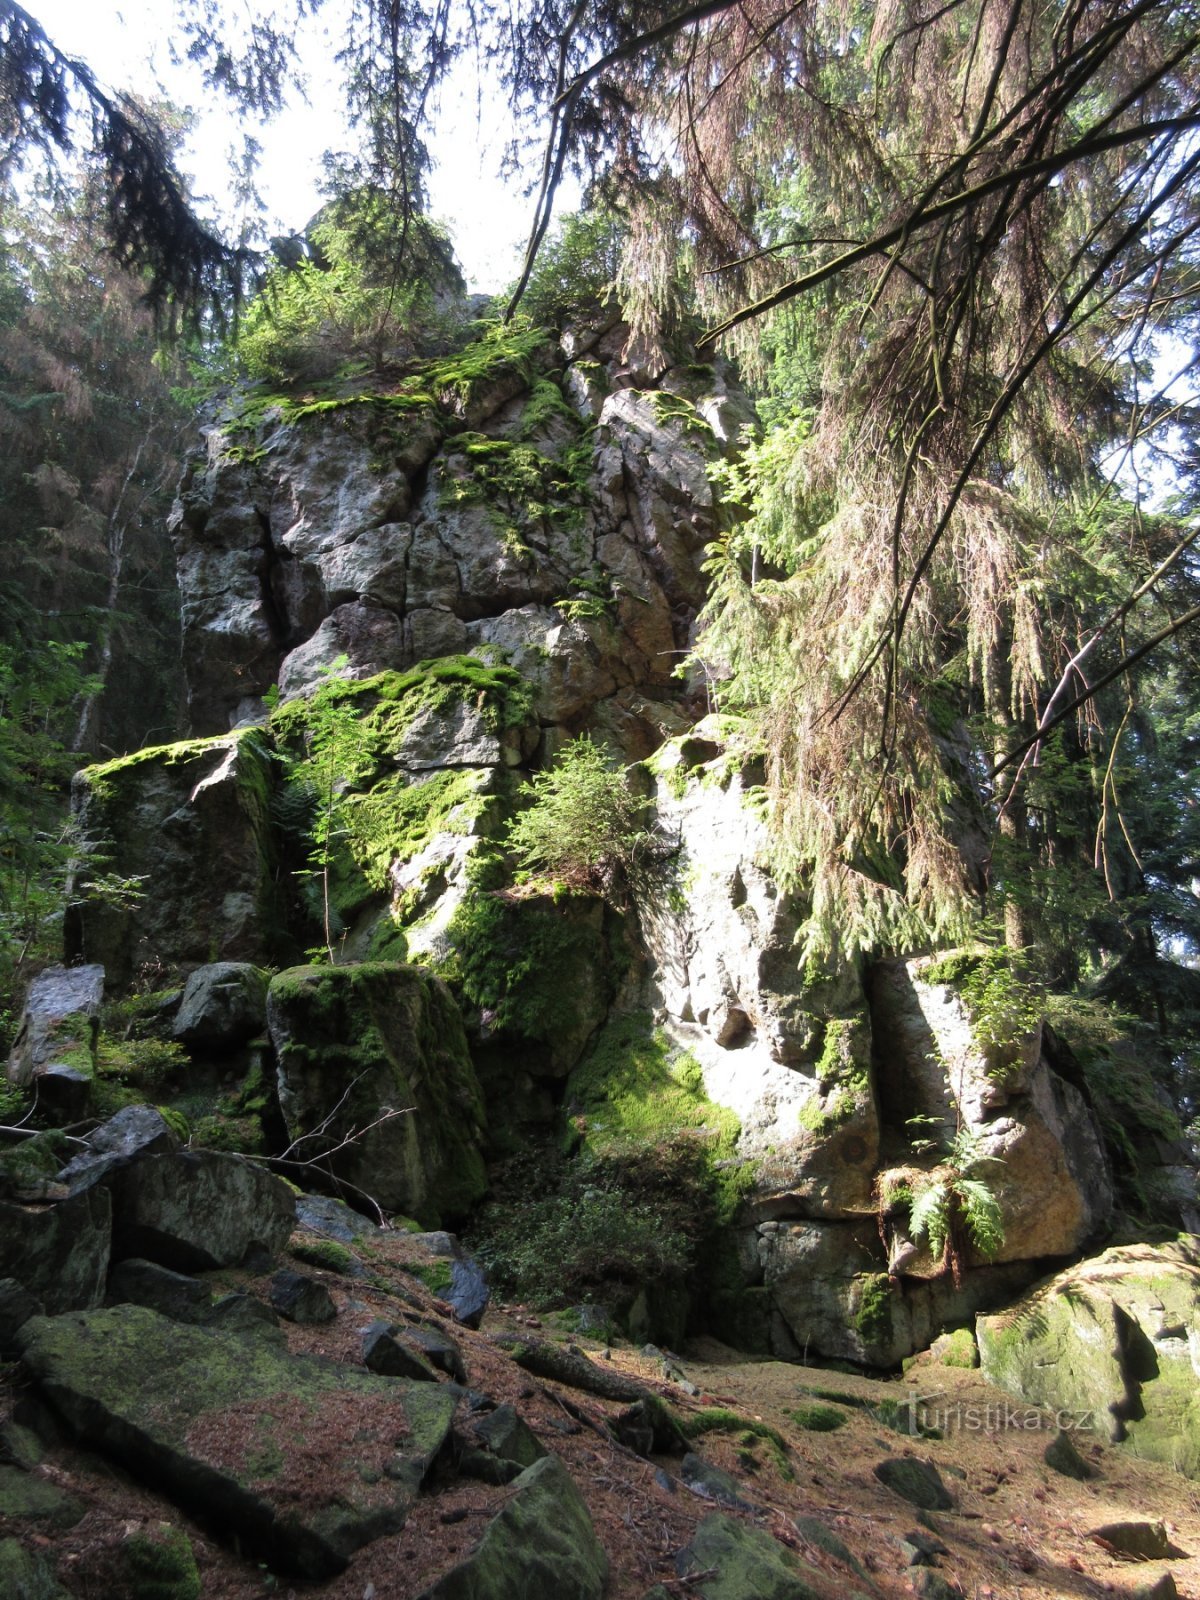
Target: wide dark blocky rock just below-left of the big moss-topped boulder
[196, 1210]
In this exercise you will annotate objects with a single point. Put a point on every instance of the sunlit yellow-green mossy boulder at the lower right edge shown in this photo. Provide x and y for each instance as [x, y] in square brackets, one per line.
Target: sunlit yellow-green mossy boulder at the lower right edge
[1113, 1346]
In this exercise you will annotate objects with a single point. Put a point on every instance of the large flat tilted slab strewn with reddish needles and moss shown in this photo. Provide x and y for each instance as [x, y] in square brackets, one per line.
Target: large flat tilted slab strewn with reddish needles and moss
[338, 1455]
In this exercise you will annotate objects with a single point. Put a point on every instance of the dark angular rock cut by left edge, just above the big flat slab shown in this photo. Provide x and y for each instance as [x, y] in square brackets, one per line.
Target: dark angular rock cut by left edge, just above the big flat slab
[60, 1254]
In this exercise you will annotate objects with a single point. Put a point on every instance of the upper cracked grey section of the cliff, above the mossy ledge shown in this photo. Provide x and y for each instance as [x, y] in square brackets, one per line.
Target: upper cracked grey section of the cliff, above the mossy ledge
[471, 511]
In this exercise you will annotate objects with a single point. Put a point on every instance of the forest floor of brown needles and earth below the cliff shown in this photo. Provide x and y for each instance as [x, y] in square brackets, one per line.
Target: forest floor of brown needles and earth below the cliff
[1020, 1530]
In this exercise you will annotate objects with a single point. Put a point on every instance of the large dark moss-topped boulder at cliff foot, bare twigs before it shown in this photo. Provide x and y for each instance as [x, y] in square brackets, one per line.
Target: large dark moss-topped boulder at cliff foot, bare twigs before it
[374, 1068]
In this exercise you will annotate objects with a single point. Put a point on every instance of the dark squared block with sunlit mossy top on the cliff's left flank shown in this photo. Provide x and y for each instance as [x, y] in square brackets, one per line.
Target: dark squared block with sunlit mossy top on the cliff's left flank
[190, 825]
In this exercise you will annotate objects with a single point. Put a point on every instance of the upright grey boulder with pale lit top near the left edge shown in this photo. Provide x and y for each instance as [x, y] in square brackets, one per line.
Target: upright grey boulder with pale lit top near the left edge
[55, 1049]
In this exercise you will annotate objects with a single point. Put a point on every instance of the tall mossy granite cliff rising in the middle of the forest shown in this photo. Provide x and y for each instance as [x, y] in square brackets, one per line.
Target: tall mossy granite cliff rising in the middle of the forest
[494, 558]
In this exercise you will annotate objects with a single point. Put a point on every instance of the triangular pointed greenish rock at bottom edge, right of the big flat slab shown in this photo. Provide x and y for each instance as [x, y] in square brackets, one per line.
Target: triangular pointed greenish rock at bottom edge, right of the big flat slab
[542, 1546]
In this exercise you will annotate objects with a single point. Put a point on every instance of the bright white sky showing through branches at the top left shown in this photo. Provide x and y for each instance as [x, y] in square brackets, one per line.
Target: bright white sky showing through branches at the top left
[127, 44]
